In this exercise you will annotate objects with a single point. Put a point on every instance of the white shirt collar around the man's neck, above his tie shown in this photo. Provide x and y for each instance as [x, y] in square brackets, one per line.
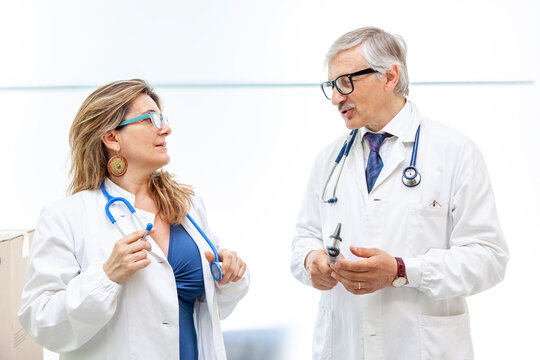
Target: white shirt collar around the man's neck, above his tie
[403, 125]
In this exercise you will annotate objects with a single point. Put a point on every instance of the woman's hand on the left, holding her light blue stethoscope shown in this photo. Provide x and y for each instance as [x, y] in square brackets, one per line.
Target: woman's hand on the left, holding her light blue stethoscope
[127, 257]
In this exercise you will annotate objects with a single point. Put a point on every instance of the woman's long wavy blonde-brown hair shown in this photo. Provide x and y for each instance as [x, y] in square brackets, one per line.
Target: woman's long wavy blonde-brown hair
[101, 112]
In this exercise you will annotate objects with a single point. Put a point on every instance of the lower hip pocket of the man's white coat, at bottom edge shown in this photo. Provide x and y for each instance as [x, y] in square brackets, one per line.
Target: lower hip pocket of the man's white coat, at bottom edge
[446, 337]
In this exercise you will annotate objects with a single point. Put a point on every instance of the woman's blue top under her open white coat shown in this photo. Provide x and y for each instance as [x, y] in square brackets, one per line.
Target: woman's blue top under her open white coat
[185, 260]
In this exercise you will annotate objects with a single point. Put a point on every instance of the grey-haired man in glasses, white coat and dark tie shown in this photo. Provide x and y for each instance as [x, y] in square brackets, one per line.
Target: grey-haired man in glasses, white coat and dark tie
[410, 254]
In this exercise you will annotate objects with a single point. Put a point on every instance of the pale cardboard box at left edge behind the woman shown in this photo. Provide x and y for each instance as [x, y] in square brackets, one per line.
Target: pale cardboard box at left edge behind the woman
[14, 343]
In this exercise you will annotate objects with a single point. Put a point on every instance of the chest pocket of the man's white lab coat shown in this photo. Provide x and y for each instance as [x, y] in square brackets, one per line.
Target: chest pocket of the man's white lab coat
[427, 228]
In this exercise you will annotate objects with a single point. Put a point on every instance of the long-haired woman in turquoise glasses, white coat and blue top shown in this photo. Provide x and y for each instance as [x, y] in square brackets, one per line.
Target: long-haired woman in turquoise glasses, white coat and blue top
[92, 293]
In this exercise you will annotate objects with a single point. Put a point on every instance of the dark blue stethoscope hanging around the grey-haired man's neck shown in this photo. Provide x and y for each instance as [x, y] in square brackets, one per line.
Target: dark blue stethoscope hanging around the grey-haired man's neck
[411, 176]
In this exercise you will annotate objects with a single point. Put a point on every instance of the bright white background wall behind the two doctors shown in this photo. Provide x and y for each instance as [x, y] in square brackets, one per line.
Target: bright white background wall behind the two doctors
[248, 149]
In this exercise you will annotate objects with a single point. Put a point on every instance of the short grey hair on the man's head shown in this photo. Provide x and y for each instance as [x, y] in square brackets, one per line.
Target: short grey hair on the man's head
[380, 49]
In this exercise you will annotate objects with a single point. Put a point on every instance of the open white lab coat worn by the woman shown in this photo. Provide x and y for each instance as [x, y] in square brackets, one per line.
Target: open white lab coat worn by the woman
[70, 306]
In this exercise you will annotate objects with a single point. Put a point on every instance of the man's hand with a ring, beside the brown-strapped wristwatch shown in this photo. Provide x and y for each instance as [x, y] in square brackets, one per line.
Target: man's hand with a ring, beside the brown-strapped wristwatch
[375, 271]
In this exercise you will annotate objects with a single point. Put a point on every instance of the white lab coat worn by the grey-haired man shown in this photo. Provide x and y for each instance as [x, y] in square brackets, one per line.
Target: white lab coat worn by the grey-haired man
[446, 229]
